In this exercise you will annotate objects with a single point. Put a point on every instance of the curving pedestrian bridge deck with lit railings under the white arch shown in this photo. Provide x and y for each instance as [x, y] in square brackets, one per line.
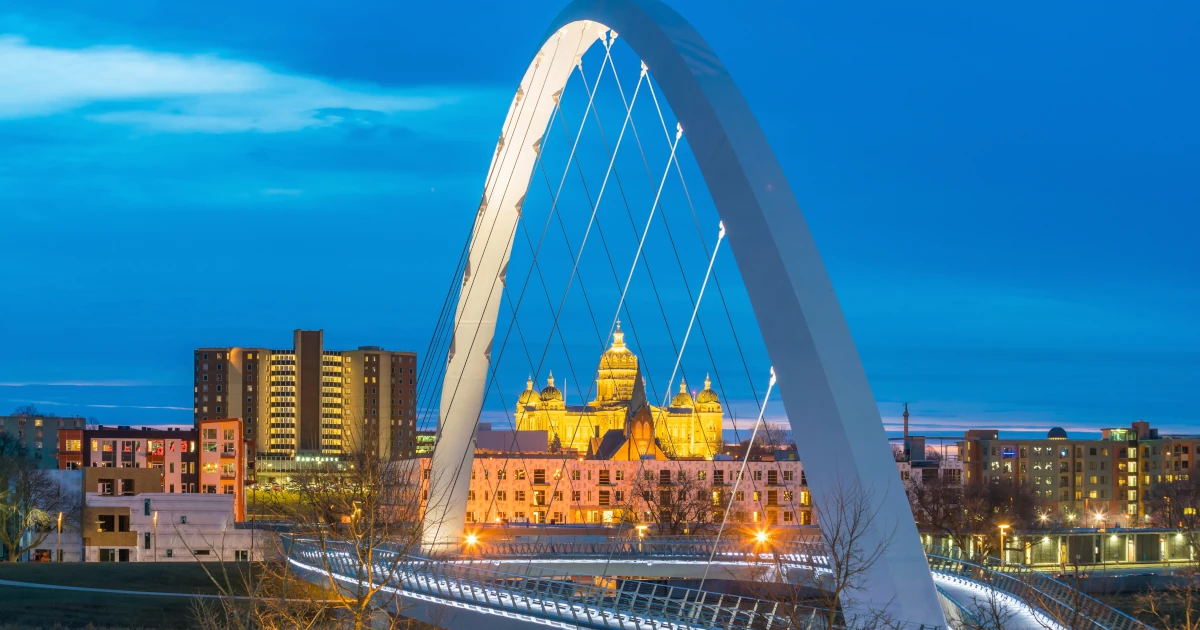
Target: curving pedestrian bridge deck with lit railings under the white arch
[581, 585]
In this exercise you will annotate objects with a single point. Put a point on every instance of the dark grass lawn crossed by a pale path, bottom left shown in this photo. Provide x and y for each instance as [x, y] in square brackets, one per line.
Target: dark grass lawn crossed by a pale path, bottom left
[37, 608]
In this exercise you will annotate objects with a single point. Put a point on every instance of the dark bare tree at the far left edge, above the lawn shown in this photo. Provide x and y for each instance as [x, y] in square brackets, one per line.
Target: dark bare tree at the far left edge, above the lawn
[31, 501]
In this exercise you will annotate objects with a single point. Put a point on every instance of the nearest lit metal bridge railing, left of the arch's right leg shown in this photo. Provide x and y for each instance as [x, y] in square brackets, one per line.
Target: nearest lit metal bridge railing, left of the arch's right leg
[605, 603]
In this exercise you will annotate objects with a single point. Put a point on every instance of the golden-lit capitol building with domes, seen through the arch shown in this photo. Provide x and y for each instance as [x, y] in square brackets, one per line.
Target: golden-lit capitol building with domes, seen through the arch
[689, 428]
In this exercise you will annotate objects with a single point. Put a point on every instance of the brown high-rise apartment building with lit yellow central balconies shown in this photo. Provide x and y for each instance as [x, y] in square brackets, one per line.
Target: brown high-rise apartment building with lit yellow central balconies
[309, 401]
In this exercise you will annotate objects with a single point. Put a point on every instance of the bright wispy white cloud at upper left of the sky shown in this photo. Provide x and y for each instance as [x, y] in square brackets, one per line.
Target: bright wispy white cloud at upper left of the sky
[185, 94]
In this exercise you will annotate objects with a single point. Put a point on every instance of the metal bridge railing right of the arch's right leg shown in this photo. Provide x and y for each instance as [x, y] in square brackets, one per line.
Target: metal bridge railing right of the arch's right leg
[1066, 605]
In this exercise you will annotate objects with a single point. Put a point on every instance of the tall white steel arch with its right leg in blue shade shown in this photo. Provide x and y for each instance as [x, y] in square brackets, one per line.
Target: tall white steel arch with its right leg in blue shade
[821, 379]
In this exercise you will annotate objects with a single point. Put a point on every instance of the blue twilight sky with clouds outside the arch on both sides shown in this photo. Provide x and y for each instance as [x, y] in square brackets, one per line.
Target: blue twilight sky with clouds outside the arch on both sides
[1006, 197]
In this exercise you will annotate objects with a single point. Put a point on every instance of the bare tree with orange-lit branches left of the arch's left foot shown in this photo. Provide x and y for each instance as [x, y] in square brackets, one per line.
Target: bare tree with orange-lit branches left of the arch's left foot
[362, 517]
